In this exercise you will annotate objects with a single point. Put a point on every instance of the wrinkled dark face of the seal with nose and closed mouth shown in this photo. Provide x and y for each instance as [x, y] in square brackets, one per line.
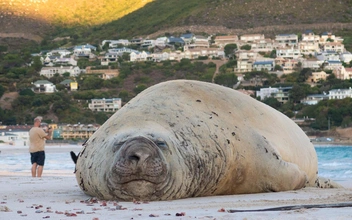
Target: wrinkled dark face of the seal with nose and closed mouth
[139, 168]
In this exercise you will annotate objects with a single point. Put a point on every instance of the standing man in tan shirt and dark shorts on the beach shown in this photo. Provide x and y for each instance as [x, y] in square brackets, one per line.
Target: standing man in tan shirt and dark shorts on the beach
[37, 137]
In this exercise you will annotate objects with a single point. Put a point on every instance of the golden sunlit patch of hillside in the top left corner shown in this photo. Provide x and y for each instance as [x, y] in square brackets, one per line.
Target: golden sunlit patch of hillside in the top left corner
[72, 12]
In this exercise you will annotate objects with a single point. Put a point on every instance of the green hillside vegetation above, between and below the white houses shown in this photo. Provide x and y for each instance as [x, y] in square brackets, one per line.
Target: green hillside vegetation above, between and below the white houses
[38, 24]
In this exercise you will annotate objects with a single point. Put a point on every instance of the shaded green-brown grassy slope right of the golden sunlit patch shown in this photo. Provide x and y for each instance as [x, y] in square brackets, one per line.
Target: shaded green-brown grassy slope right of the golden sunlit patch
[161, 14]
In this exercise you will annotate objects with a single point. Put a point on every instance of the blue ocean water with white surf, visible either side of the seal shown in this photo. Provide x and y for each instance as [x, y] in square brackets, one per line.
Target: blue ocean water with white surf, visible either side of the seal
[334, 162]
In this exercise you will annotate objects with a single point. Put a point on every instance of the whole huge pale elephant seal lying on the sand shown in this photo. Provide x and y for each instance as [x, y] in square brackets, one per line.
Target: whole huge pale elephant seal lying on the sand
[183, 138]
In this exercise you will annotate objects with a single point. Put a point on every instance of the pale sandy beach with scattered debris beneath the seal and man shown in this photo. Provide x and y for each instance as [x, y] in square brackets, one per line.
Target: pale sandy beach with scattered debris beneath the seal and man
[57, 196]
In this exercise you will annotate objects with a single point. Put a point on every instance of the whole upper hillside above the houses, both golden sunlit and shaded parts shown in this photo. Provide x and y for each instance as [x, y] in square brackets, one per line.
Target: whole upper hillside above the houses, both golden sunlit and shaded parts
[95, 20]
